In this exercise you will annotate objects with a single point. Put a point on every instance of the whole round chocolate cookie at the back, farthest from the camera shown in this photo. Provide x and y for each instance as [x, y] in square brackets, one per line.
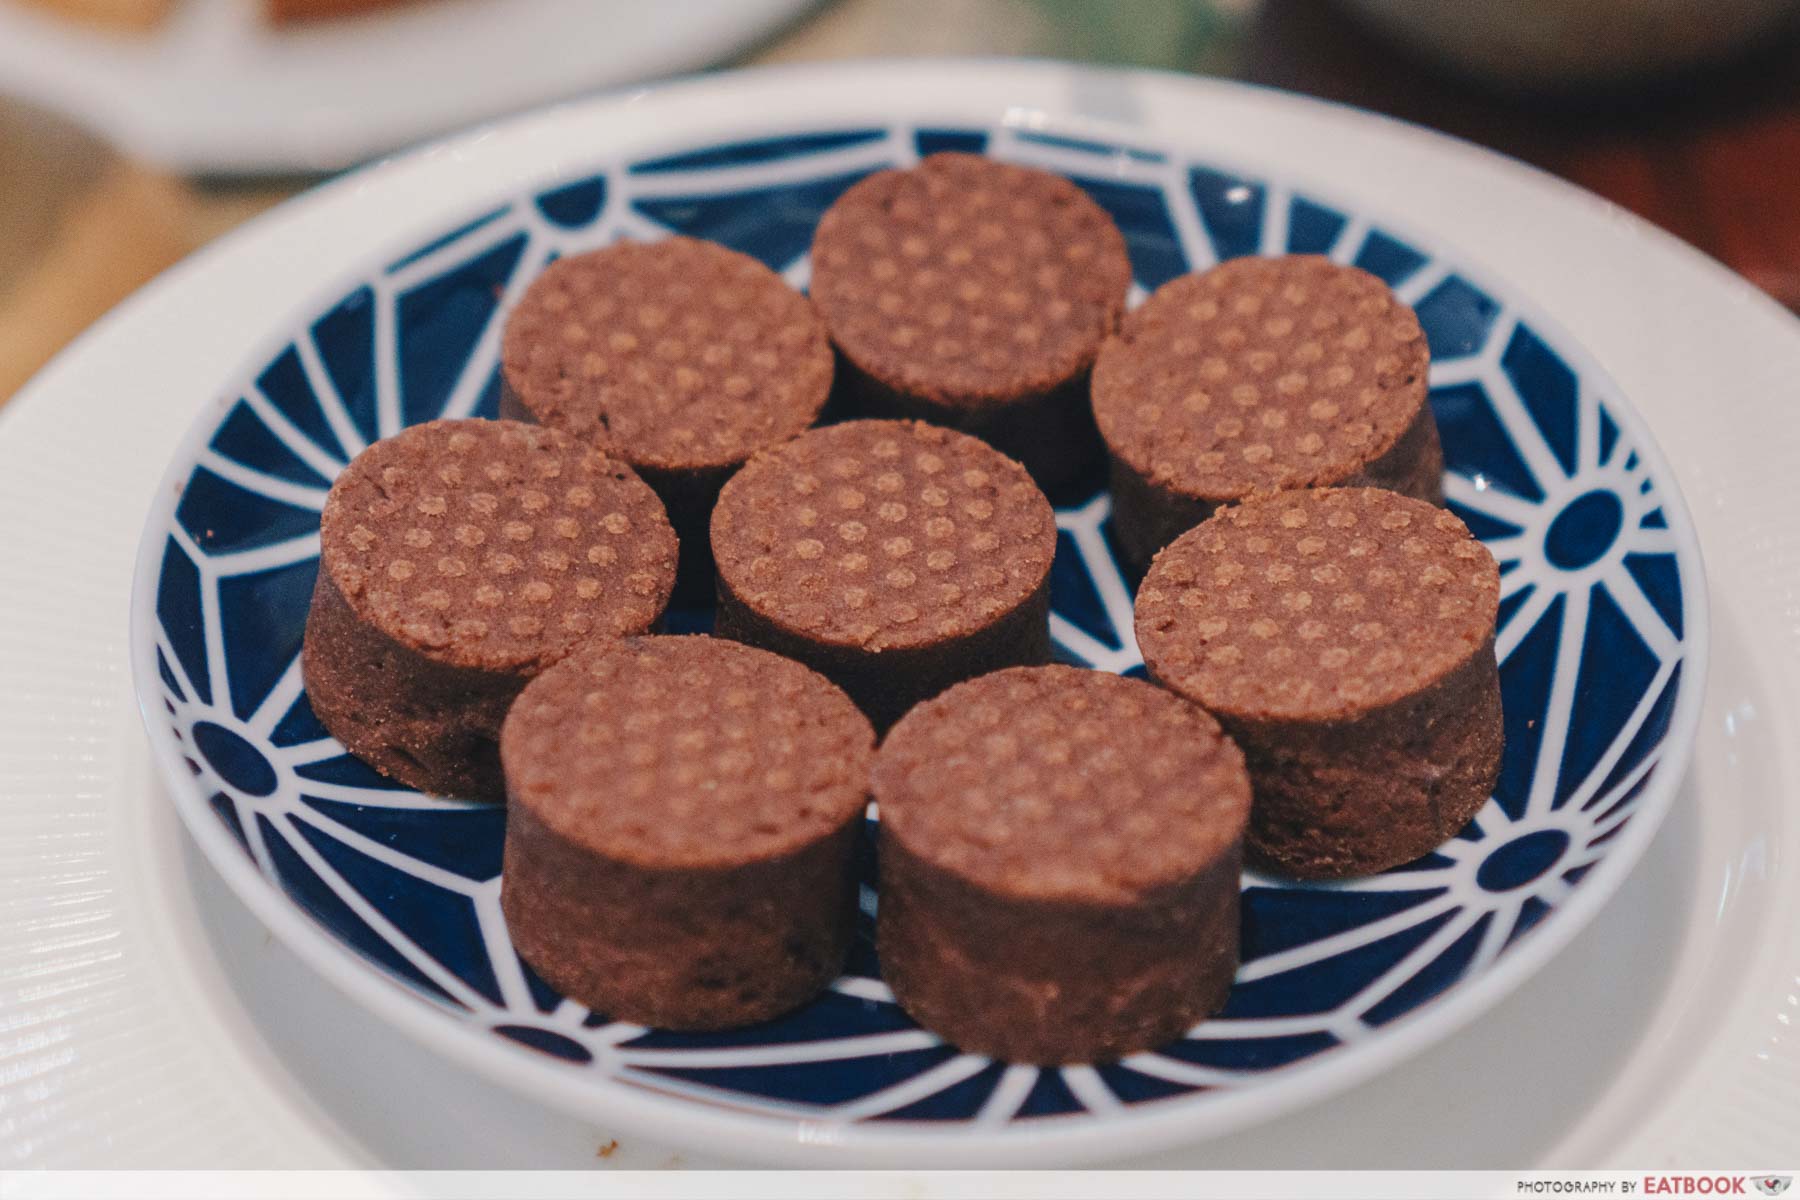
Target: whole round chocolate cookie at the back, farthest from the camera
[975, 294]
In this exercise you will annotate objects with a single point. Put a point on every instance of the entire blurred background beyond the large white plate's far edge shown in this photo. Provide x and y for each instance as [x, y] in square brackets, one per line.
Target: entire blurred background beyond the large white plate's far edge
[134, 132]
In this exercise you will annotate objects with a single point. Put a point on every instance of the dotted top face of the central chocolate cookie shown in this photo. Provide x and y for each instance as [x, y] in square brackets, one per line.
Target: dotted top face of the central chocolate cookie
[883, 535]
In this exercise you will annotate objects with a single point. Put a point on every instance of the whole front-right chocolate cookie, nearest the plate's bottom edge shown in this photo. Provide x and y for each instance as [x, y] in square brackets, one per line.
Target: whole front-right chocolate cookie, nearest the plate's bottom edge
[1059, 864]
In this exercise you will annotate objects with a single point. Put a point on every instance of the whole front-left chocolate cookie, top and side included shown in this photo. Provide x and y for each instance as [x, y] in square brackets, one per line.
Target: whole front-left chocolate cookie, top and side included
[679, 830]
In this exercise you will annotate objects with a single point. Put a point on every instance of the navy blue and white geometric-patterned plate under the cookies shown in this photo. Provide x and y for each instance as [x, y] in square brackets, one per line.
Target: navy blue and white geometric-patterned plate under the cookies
[1601, 645]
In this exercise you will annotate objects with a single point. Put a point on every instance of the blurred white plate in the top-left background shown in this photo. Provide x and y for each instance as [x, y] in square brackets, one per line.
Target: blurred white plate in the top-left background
[217, 91]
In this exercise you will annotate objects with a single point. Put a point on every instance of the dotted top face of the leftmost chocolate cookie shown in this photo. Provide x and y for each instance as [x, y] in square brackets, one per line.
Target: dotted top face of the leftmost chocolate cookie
[496, 544]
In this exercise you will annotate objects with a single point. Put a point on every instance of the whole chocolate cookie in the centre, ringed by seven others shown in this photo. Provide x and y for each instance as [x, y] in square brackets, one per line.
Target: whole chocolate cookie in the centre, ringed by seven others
[892, 557]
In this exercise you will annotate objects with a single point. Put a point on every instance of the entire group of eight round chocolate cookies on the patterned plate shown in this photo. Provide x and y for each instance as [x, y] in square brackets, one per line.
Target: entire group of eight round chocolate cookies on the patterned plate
[1059, 848]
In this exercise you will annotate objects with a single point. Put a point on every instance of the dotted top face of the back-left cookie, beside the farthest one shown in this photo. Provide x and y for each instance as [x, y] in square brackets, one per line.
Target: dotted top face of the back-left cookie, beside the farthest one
[672, 354]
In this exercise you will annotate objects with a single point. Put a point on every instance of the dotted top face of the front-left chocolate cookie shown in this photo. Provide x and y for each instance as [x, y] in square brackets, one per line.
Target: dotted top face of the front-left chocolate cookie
[687, 753]
